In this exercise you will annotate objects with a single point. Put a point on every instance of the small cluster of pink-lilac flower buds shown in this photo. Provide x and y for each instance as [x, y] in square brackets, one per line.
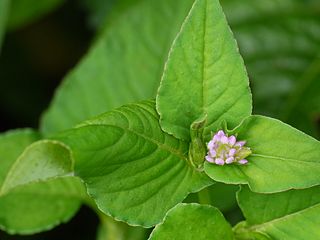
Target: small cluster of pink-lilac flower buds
[227, 150]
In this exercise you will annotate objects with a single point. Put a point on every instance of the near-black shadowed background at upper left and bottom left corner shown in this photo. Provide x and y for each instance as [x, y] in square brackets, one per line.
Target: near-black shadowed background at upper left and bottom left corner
[33, 61]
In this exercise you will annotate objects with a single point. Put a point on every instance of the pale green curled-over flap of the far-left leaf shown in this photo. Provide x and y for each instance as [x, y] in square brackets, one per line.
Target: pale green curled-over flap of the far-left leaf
[40, 161]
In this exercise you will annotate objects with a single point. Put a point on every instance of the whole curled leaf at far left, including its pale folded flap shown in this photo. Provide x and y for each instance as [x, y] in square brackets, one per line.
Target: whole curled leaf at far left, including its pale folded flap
[28, 205]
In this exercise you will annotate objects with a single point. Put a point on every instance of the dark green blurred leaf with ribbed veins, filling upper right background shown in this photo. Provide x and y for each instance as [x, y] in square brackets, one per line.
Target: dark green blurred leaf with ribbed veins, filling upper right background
[279, 42]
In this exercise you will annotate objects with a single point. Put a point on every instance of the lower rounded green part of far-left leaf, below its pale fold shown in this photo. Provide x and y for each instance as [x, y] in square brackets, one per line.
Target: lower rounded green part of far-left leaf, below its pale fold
[40, 206]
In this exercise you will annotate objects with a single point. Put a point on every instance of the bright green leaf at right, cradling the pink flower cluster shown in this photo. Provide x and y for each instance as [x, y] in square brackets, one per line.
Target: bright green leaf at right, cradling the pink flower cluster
[282, 158]
